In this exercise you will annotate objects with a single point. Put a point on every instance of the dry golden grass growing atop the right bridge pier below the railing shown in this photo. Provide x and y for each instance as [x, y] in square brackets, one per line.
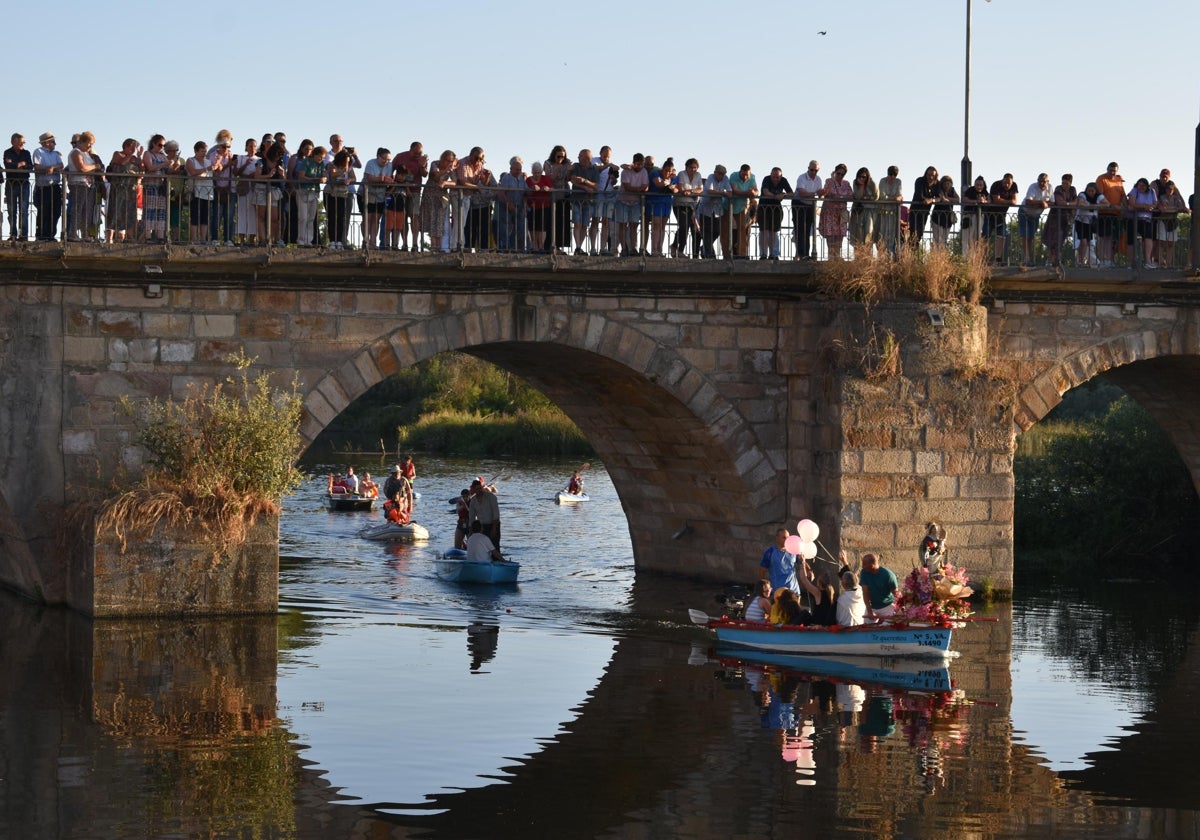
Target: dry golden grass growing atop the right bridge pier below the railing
[934, 277]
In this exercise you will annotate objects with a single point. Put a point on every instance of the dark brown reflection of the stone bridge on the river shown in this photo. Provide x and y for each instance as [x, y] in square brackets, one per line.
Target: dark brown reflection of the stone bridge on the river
[80, 695]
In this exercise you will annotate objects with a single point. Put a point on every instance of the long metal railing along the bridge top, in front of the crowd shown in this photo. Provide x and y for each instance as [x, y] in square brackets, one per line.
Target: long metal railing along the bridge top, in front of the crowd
[118, 208]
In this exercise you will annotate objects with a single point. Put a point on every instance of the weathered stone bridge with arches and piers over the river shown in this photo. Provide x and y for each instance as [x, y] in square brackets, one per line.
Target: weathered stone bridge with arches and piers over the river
[724, 399]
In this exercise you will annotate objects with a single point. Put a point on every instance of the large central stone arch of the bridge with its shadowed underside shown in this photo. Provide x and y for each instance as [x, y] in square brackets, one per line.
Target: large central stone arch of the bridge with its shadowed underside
[655, 416]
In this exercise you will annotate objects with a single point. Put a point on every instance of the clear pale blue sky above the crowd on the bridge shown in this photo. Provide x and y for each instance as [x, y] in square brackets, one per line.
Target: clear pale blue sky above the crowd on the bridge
[1057, 86]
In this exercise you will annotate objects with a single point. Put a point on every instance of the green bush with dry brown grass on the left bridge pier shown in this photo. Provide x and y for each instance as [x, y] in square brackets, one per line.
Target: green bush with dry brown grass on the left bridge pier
[217, 461]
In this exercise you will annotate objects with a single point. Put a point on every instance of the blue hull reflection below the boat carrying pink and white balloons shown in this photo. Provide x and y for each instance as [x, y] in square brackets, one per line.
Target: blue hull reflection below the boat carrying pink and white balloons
[898, 673]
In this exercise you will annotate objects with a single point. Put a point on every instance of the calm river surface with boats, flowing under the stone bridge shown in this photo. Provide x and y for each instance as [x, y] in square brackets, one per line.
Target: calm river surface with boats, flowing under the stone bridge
[383, 703]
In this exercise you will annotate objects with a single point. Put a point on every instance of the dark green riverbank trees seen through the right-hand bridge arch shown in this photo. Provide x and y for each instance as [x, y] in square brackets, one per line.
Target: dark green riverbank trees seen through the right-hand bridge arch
[1101, 489]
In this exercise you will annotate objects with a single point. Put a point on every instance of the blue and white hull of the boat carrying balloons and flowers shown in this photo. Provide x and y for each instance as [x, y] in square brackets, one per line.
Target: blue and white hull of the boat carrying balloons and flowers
[879, 640]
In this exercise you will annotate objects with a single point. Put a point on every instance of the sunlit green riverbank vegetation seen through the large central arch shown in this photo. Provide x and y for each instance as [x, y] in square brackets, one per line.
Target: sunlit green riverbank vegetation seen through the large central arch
[457, 405]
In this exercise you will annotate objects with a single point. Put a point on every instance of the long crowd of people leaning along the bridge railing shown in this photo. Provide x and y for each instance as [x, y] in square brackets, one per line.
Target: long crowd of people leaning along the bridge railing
[593, 205]
